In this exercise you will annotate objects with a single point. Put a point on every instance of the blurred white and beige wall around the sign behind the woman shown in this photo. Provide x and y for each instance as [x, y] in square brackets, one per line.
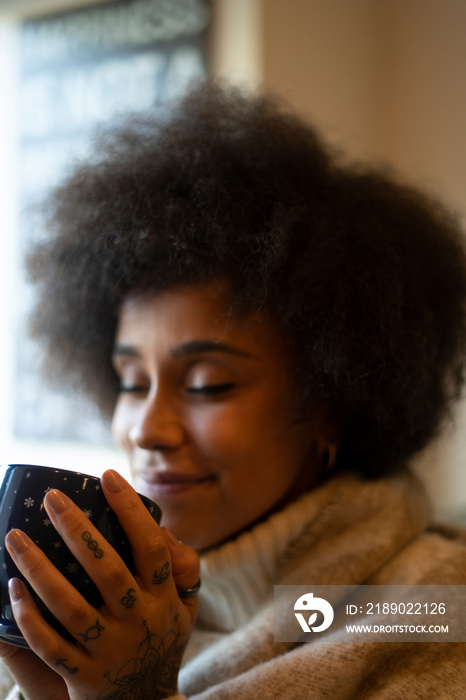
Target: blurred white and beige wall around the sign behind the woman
[382, 79]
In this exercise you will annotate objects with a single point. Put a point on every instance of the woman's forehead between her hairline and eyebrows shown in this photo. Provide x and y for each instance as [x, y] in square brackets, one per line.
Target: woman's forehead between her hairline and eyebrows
[184, 313]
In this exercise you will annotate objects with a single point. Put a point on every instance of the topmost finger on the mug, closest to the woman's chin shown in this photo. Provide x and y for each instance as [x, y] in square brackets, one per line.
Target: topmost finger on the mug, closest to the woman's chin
[150, 550]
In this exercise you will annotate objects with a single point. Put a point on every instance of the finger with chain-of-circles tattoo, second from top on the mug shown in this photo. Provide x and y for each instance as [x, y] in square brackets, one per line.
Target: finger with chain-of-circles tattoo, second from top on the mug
[100, 560]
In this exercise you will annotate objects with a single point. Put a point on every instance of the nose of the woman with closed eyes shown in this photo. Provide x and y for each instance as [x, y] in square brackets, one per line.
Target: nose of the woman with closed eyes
[158, 424]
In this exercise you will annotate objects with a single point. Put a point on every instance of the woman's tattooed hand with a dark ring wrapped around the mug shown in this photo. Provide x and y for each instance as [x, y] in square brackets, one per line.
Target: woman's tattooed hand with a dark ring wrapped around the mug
[133, 645]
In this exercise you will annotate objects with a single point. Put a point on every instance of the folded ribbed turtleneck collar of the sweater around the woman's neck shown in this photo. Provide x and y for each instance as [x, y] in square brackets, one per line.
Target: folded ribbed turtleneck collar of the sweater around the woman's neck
[238, 577]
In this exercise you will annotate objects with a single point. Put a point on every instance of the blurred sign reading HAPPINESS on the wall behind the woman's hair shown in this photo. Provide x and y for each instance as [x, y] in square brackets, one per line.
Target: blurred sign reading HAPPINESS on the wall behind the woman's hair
[79, 69]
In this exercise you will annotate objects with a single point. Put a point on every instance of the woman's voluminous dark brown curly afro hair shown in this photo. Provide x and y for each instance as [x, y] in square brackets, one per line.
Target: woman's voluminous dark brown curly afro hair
[364, 275]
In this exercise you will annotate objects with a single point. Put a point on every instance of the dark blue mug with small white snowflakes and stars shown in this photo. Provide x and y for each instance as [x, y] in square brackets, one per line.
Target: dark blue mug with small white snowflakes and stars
[22, 490]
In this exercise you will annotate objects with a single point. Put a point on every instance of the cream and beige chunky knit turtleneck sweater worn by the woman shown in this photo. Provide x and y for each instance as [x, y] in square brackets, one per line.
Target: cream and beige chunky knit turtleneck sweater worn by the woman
[347, 531]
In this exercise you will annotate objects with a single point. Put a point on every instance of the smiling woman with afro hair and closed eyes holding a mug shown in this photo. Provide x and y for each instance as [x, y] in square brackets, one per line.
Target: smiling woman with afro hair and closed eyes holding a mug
[276, 335]
